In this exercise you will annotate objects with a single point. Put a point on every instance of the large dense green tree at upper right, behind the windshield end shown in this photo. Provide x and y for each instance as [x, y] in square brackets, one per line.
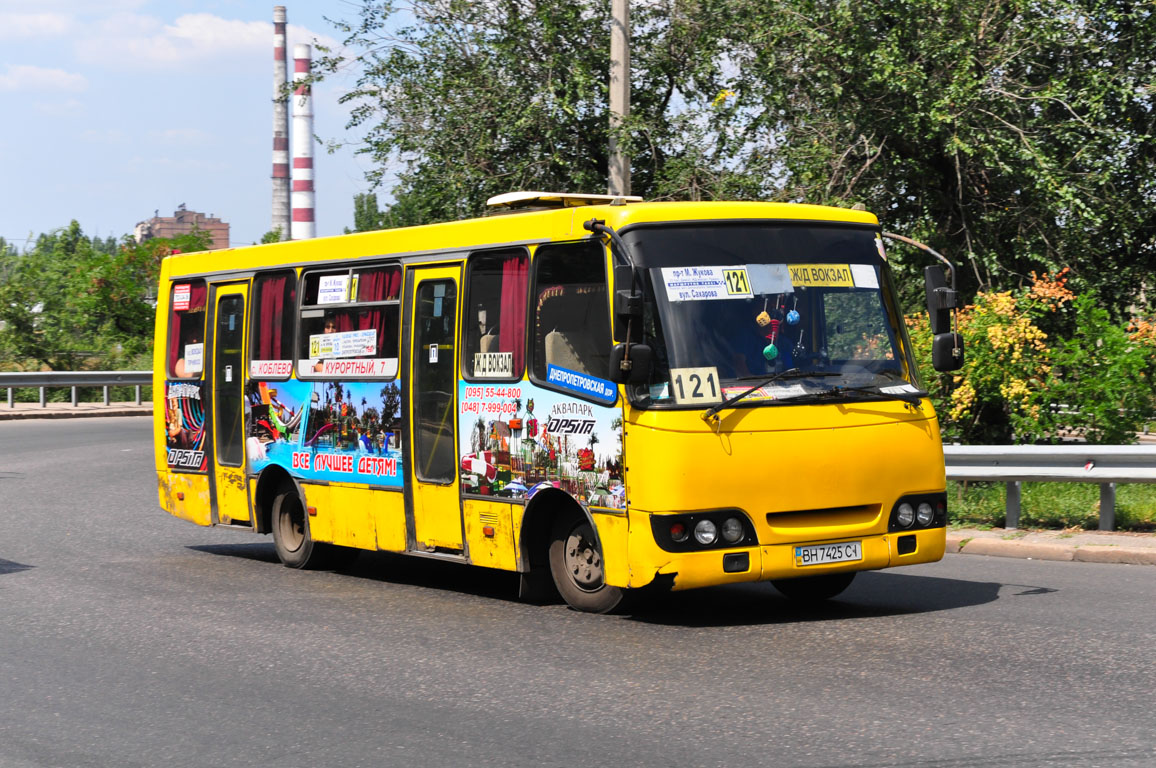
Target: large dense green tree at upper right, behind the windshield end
[1014, 136]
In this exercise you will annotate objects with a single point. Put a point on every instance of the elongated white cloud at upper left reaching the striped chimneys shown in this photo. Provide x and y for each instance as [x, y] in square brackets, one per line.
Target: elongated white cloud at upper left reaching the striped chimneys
[134, 40]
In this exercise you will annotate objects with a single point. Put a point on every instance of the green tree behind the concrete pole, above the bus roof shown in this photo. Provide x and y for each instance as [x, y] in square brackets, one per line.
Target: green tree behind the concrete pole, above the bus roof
[473, 100]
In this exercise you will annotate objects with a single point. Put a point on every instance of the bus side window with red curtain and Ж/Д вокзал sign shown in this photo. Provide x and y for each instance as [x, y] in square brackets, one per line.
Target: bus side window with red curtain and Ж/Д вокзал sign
[495, 322]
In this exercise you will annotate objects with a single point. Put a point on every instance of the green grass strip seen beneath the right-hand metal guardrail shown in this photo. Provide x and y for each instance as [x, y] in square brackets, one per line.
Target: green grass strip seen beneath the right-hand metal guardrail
[1051, 506]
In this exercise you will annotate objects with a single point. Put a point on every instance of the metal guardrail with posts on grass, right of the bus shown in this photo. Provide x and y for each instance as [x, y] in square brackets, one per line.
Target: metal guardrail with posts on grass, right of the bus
[1106, 466]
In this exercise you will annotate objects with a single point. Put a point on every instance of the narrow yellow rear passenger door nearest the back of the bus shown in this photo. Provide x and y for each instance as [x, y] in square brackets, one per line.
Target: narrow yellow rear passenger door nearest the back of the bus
[227, 380]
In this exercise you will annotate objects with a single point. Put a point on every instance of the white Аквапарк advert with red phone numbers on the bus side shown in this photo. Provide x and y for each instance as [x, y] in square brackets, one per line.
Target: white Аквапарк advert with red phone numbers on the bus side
[518, 439]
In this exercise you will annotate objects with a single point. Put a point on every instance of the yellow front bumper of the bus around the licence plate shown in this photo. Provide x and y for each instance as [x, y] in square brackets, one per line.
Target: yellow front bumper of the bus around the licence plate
[715, 567]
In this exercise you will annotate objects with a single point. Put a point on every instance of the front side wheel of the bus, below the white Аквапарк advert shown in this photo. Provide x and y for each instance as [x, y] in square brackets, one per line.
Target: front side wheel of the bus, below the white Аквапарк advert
[576, 565]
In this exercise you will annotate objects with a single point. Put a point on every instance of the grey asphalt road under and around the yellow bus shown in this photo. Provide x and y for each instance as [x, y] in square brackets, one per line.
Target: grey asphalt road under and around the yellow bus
[132, 639]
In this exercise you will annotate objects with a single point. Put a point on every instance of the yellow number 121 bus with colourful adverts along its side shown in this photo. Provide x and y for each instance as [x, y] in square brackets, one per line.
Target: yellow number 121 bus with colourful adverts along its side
[599, 394]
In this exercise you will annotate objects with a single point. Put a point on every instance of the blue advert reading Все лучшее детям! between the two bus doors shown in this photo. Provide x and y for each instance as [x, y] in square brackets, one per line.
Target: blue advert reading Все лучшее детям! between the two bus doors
[327, 431]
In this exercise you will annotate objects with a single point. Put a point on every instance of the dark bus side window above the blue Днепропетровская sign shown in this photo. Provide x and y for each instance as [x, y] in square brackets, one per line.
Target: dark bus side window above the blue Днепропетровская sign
[572, 315]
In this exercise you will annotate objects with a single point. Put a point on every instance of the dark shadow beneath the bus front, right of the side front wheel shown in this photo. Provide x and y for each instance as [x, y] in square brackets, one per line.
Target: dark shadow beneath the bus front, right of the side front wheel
[873, 594]
